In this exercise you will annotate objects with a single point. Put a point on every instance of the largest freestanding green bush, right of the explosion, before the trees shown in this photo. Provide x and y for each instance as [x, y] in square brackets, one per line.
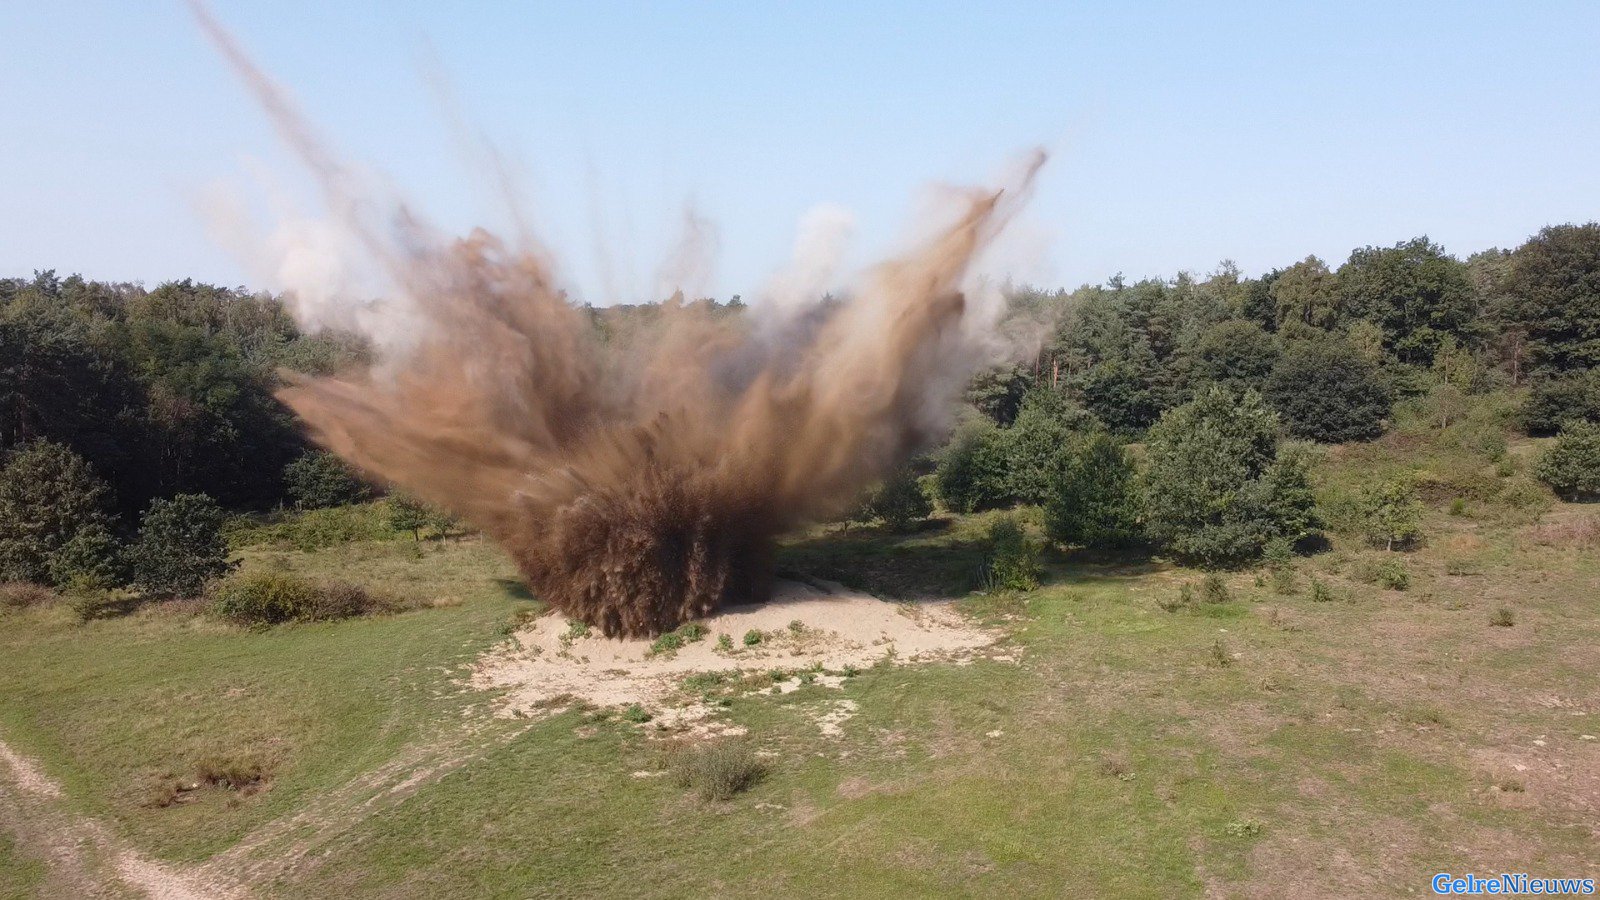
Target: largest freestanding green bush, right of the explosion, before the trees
[1217, 489]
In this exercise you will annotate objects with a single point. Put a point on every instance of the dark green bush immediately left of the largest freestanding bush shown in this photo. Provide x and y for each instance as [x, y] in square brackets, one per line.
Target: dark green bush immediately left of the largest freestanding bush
[1095, 496]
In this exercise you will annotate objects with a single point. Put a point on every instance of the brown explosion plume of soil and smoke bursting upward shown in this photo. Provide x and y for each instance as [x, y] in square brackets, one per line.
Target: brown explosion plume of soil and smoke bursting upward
[639, 480]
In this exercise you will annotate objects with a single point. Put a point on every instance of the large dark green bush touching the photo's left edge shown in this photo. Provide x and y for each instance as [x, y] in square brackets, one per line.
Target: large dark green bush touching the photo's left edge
[52, 504]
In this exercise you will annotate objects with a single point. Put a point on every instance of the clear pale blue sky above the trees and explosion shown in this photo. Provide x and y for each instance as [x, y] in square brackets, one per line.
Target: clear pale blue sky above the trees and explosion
[1183, 134]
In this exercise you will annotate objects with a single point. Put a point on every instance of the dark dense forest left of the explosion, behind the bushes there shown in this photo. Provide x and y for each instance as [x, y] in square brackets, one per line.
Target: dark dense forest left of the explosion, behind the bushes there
[162, 392]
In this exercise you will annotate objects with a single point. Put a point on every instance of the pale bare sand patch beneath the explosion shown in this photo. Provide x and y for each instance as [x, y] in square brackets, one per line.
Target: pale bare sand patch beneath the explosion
[545, 667]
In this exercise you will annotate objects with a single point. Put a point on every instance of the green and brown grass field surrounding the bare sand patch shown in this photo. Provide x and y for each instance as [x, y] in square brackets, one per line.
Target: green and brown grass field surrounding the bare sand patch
[1263, 747]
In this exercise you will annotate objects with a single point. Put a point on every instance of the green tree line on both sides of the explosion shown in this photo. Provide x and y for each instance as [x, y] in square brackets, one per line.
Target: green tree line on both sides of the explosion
[130, 400]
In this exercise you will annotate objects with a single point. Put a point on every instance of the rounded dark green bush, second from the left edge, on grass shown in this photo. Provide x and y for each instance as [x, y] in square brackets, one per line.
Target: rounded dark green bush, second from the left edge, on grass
[180, 547]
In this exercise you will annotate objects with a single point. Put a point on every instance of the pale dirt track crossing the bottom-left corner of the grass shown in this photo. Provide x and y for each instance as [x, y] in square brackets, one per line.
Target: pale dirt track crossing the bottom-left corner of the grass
[84, 858]
